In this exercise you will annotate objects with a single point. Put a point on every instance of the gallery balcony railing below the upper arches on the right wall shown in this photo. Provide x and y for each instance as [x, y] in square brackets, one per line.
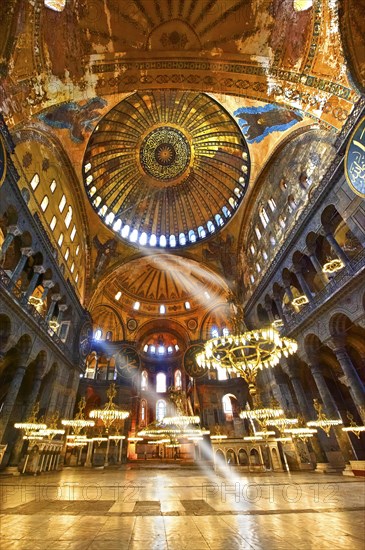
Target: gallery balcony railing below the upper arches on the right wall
[354, 268]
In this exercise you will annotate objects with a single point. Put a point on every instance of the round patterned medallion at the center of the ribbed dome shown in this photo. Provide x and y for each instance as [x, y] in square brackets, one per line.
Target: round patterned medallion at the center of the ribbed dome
[165, 153]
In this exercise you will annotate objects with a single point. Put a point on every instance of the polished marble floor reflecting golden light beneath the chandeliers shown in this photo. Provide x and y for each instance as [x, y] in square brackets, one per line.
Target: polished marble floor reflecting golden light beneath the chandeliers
[177, 508]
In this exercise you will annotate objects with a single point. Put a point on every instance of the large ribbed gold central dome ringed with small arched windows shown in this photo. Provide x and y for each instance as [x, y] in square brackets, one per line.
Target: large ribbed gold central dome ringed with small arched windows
[166, 169]
